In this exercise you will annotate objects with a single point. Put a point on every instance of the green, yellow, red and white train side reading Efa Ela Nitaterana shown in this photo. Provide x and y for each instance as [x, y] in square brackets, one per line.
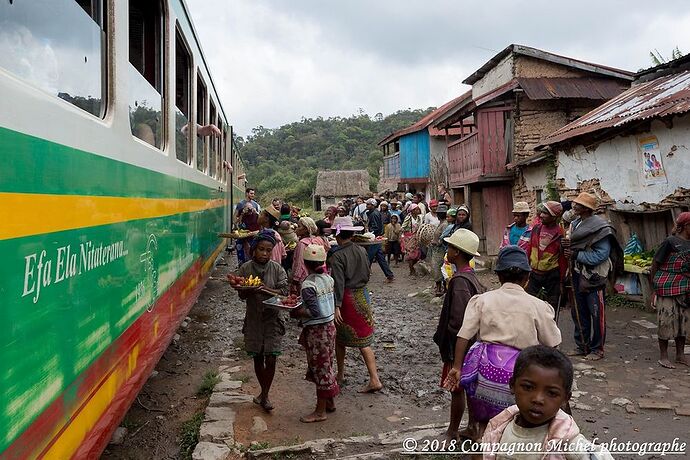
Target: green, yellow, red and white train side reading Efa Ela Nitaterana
[106, 243]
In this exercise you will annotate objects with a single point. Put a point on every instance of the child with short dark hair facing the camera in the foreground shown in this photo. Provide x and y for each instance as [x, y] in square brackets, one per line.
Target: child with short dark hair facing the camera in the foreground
[542, 382]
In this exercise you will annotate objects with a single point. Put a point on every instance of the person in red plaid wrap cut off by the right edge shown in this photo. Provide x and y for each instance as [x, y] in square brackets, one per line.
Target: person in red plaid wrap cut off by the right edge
[670, 274]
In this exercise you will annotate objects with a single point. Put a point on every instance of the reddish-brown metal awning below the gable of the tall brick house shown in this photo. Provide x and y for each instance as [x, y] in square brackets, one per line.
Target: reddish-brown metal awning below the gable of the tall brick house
[564, 88]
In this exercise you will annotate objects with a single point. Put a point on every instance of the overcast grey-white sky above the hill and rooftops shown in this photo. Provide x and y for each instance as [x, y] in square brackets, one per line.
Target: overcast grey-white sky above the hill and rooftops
[276, 61]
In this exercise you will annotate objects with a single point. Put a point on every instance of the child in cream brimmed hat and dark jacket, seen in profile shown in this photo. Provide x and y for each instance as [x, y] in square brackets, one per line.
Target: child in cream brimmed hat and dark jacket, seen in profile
[462, 247]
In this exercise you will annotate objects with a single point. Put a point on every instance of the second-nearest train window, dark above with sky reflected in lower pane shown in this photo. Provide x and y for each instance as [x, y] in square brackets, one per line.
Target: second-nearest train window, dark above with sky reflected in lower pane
[146, 71]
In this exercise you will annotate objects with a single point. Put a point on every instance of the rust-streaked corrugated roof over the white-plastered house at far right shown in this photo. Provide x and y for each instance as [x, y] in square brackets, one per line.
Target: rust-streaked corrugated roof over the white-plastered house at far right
[667, 95]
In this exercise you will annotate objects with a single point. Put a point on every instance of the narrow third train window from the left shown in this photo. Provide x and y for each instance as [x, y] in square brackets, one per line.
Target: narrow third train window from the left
[183, 70]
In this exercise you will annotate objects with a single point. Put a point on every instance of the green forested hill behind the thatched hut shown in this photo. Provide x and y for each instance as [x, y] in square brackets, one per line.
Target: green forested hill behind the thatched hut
[283, 162]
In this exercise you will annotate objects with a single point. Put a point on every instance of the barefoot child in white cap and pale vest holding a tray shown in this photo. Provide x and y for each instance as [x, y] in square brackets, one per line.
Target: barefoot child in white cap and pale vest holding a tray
[318, 334]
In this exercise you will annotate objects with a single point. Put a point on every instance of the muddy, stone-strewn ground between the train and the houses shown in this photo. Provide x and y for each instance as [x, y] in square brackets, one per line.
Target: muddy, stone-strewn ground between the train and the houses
[409, 366]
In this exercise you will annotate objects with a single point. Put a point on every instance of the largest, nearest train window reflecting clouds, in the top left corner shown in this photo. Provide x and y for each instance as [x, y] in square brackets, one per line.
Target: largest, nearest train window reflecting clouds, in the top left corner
[57, 46]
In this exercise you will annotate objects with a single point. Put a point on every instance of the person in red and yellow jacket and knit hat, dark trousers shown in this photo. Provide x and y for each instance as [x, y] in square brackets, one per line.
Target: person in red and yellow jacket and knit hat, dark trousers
[546, 254]
